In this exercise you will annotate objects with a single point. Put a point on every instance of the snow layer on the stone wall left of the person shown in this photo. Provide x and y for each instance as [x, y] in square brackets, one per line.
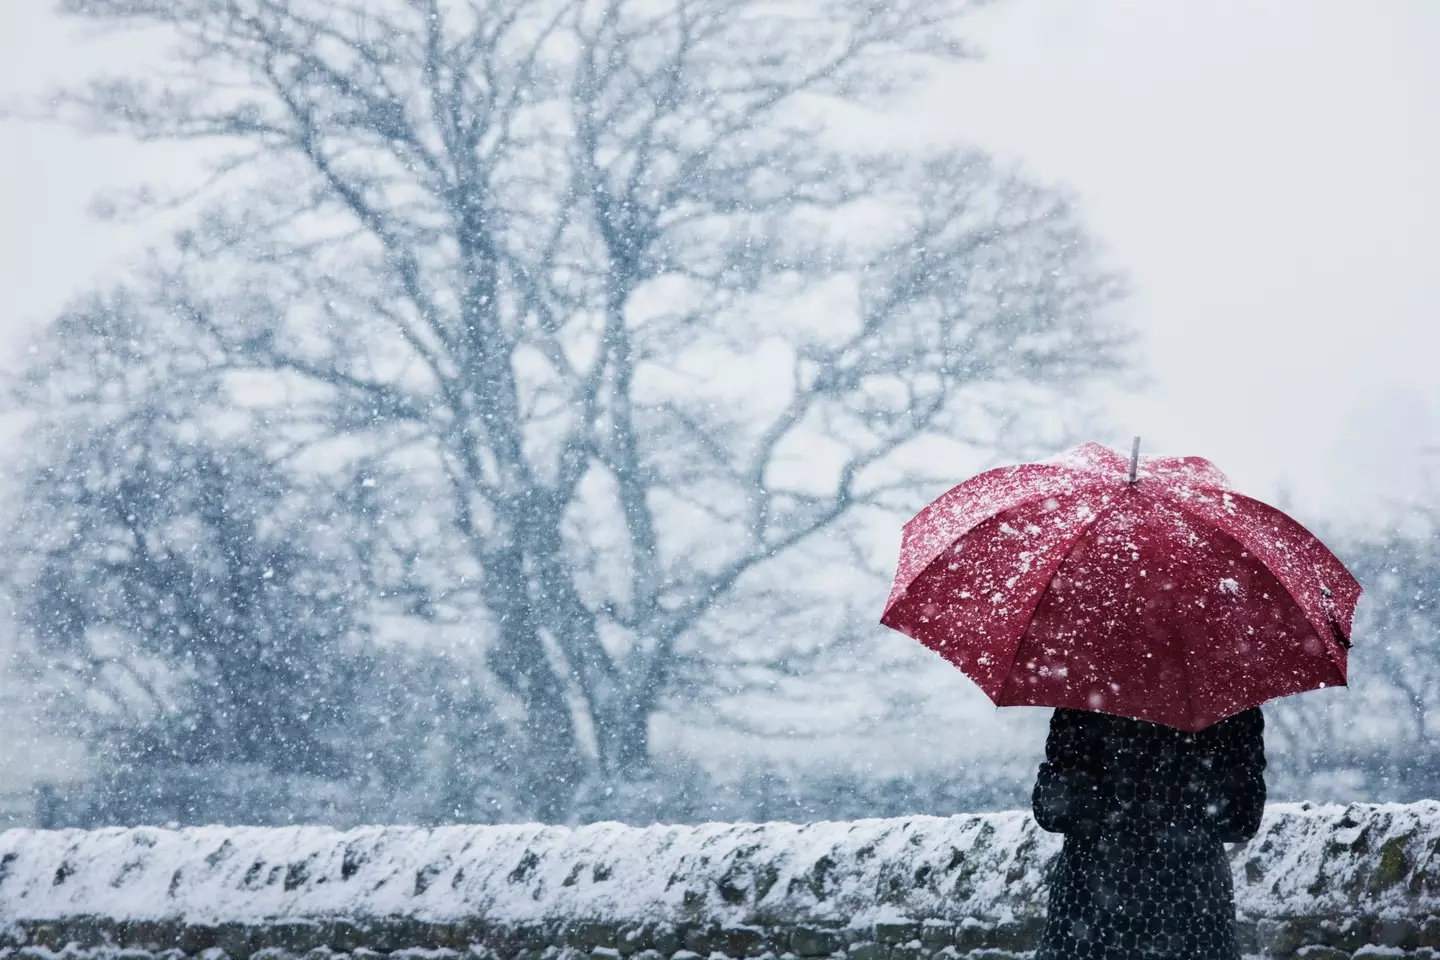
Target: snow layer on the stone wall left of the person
[516, 874]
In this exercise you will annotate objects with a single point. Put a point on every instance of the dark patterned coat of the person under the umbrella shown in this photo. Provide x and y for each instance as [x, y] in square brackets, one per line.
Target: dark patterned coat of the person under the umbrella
[1147, 811]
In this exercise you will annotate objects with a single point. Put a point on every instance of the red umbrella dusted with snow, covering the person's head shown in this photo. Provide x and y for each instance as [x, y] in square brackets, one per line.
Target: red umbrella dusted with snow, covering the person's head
[1147, 589]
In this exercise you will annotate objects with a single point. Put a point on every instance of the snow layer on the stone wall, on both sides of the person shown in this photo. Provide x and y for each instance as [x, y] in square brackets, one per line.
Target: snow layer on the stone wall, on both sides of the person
[1305, 861]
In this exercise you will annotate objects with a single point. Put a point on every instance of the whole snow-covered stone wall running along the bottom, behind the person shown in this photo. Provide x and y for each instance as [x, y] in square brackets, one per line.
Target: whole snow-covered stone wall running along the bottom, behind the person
[1318, 882]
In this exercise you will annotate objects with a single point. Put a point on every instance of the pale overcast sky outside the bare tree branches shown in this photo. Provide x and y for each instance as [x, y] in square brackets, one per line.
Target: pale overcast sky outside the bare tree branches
[1264, 172]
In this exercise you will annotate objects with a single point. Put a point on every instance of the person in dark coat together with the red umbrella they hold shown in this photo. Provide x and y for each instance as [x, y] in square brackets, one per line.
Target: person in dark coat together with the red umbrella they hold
[1156, 610]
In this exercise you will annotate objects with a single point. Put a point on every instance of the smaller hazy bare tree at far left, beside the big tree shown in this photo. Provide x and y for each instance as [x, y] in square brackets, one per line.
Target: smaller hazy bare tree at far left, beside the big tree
[178, 585]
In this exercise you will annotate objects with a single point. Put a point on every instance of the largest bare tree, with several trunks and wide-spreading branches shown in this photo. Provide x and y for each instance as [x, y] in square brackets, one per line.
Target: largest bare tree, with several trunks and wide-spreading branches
[580, 293]
